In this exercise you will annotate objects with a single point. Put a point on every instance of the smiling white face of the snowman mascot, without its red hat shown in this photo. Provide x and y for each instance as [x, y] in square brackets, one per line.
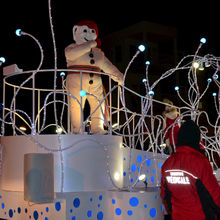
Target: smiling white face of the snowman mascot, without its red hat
[82, 34]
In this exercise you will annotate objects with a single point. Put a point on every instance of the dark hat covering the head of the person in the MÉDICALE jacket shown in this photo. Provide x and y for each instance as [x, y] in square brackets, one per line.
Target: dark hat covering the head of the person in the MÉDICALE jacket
[189, 135]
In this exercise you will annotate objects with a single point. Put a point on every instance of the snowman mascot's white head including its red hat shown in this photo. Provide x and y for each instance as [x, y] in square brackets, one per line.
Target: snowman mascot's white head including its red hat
[85, 31]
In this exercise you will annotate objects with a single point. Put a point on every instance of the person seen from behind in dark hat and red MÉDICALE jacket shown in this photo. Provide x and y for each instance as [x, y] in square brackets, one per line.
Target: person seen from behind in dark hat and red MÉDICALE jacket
[189, 188]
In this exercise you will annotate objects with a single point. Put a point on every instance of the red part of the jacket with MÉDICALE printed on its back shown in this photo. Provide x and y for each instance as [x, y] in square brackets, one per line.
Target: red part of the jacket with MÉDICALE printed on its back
[181, 173]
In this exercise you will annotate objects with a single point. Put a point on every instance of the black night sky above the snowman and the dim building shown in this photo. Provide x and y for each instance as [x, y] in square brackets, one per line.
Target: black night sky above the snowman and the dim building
[193, 21]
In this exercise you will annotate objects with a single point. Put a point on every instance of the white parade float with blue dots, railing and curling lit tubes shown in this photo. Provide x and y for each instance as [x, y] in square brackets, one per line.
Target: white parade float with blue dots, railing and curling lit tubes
[87, 175]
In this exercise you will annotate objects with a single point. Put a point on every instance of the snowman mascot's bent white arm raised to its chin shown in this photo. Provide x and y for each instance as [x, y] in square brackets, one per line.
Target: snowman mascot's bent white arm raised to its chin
[74, 51]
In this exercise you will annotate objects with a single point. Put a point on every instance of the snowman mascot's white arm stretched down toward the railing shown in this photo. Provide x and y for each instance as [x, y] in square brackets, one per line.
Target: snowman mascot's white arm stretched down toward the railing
[112, 71]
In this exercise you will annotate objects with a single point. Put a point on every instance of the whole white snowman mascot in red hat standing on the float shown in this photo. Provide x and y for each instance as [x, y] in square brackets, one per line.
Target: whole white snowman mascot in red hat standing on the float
[85, 55]
